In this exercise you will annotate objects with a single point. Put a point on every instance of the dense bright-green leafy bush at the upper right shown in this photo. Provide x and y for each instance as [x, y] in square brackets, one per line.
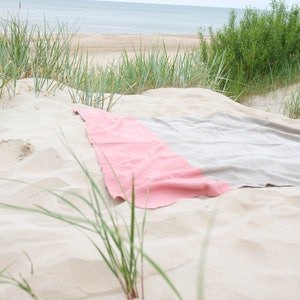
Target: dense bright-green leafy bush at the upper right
[262, 50]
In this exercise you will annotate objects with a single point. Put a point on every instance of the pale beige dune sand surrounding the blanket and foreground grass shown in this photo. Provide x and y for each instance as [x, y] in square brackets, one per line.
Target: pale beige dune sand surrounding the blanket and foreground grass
[254, 241]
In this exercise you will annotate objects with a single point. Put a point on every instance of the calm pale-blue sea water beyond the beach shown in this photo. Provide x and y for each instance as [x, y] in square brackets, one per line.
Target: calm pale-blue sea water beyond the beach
[94, 16]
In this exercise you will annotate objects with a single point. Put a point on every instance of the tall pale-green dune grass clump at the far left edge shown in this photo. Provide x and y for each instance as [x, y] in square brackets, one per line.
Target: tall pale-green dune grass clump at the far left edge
[29, 52]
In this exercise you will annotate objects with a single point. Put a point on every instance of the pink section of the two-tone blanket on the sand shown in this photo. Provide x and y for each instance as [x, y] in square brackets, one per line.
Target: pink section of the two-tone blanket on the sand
[126, 149]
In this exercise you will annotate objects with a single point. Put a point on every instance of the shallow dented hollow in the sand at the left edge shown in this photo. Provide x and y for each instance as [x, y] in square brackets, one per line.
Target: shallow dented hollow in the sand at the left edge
[13, 151]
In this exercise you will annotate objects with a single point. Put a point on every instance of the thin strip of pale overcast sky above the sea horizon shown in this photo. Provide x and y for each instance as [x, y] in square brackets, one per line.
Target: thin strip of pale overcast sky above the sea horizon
[220, 3]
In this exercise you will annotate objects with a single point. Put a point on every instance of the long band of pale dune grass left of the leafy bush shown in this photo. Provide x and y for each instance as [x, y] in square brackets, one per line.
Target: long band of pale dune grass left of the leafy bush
[51, 57]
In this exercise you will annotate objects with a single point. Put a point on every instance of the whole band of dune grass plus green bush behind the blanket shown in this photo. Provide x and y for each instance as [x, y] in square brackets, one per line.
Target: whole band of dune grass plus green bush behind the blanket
[258, 53]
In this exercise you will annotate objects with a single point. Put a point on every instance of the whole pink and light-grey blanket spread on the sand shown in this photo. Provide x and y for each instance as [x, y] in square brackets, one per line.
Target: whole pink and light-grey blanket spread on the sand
[171, 158]
